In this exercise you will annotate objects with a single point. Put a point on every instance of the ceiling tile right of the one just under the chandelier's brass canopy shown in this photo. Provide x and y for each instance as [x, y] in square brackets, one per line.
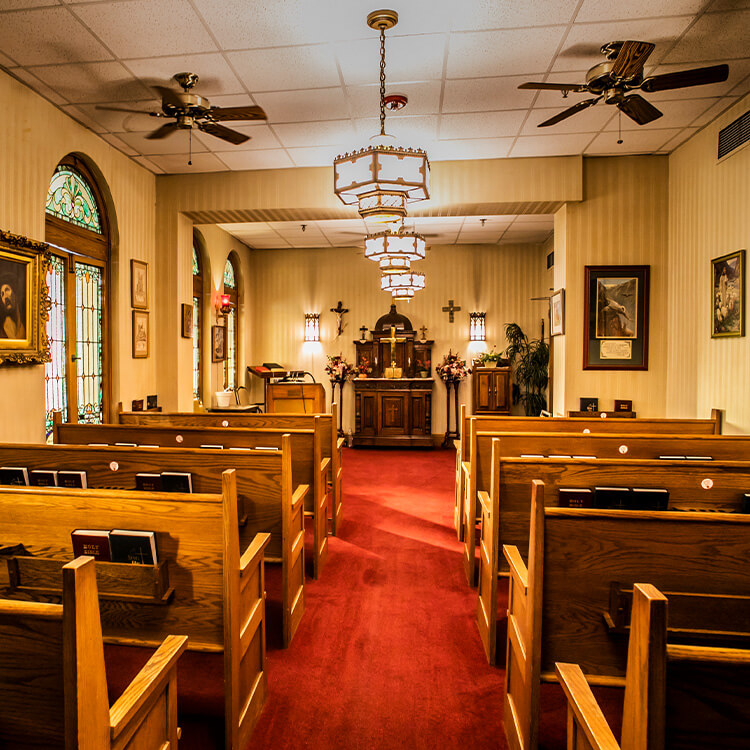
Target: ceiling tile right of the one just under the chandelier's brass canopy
[492, 53]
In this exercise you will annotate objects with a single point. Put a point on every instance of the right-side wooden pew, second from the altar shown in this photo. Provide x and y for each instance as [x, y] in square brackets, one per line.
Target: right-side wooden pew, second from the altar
[637, 445]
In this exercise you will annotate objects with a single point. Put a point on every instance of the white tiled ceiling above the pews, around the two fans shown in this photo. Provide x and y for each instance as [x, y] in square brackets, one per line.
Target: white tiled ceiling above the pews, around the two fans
[313, 66]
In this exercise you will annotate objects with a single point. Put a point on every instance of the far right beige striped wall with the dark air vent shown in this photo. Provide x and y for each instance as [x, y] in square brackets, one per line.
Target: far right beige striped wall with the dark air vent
[709, 216]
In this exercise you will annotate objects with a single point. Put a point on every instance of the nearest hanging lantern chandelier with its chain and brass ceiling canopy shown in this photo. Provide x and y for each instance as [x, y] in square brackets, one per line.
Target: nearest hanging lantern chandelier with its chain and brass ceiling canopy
[382, 177]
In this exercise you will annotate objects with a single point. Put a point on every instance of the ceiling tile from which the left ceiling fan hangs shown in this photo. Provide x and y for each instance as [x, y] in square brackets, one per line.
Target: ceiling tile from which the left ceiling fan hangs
[215, 75]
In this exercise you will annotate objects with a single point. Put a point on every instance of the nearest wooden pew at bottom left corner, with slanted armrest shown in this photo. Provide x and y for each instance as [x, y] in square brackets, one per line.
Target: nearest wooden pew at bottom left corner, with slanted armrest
[53, 686]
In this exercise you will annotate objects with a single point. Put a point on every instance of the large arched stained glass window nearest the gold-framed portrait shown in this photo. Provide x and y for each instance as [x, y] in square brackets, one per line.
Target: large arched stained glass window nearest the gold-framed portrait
[76, 225]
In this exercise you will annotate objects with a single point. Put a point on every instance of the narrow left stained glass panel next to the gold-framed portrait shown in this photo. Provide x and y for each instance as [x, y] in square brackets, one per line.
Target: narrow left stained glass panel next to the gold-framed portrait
[55, 371]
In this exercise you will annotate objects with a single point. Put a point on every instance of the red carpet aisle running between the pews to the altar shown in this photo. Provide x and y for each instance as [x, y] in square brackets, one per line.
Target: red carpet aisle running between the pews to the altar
[388, 654]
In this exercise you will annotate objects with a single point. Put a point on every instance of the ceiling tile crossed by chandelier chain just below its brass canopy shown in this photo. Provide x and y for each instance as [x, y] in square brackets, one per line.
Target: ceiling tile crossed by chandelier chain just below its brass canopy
[408, 58]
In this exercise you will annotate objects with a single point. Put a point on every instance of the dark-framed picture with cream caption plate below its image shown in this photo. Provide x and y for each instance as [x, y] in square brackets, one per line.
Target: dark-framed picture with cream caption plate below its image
[615, 328]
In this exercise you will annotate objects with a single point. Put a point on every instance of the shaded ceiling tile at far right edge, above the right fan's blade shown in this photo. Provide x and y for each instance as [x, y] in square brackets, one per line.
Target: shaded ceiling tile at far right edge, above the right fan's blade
[715, 36]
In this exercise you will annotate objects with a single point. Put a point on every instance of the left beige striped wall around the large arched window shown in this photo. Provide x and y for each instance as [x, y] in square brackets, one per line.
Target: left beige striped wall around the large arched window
[33, 138]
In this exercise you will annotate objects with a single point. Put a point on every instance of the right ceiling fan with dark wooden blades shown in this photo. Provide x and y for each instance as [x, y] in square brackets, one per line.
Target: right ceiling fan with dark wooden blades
[623, 72]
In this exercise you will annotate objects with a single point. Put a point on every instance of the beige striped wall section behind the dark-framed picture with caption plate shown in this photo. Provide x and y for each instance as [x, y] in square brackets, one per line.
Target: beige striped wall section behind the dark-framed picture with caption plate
[622, 220]
